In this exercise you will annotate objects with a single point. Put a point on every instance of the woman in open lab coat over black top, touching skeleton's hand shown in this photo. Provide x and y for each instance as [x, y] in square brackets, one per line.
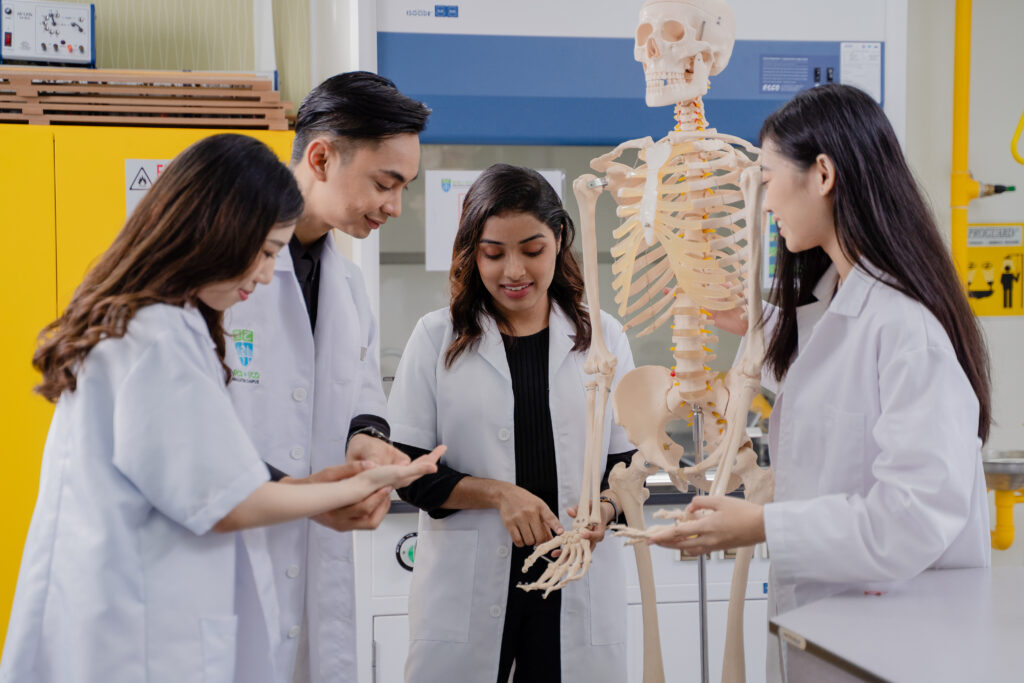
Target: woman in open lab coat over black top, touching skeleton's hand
[499, 378]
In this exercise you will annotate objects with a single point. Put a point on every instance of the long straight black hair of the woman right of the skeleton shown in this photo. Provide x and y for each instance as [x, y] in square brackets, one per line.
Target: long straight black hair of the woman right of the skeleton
[881, 218]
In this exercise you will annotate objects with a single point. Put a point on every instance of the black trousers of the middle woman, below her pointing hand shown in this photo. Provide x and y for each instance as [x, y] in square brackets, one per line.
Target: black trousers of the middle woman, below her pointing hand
[532, 634]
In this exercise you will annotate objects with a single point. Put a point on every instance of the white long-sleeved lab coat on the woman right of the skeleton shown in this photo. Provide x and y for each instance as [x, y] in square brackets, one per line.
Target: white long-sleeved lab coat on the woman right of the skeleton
[875, 446]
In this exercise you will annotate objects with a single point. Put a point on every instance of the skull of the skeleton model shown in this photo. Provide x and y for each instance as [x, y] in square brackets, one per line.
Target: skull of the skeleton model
[681, 44]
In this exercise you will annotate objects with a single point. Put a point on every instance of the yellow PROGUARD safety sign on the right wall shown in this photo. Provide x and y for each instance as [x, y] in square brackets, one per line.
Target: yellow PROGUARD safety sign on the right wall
[995, 265]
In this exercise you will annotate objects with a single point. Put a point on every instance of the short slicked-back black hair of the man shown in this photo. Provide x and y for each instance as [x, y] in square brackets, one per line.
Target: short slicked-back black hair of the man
[357, 108]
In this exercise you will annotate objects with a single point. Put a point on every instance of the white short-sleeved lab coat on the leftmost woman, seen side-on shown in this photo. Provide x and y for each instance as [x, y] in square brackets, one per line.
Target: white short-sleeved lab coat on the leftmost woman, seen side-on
[121, 579]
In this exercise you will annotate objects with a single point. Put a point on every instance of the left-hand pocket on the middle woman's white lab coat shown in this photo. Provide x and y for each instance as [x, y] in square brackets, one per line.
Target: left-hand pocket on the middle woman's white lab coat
[442, 593]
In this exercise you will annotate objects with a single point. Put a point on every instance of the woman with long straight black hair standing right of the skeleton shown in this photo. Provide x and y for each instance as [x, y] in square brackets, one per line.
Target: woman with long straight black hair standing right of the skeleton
[883, 399]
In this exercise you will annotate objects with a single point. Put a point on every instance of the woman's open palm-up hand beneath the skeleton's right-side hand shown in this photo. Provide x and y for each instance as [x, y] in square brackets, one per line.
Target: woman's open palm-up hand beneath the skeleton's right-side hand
[721, 523]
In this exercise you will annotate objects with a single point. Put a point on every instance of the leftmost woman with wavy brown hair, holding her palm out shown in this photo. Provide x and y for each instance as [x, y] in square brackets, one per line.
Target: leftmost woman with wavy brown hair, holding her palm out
[121, 579]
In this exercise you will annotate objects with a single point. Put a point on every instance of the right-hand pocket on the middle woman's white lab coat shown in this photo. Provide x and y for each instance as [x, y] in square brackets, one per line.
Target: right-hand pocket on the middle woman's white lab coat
[608, 594]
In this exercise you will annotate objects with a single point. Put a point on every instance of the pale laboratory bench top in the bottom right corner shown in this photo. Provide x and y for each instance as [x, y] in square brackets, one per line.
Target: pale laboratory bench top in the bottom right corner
[946, 625]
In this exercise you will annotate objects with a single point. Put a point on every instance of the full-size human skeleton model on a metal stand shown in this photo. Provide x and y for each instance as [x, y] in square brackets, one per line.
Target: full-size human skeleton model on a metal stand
[685, 249]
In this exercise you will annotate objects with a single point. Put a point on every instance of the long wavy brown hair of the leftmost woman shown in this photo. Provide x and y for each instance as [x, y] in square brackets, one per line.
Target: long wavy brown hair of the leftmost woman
[204, 221]
